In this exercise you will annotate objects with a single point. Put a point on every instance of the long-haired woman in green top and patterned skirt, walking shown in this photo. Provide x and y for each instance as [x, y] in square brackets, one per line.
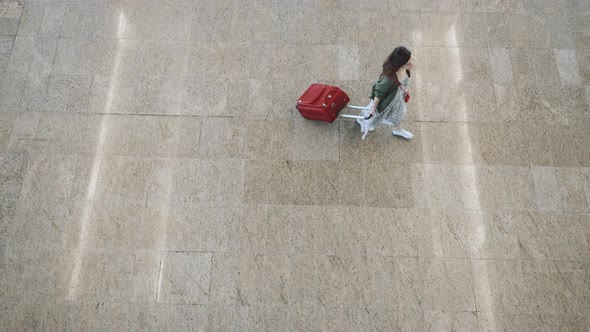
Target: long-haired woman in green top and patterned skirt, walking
[390, 94]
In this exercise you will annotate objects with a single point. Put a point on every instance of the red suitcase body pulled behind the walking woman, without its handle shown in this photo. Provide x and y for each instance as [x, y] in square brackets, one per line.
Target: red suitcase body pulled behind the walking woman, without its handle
[322, 102]
